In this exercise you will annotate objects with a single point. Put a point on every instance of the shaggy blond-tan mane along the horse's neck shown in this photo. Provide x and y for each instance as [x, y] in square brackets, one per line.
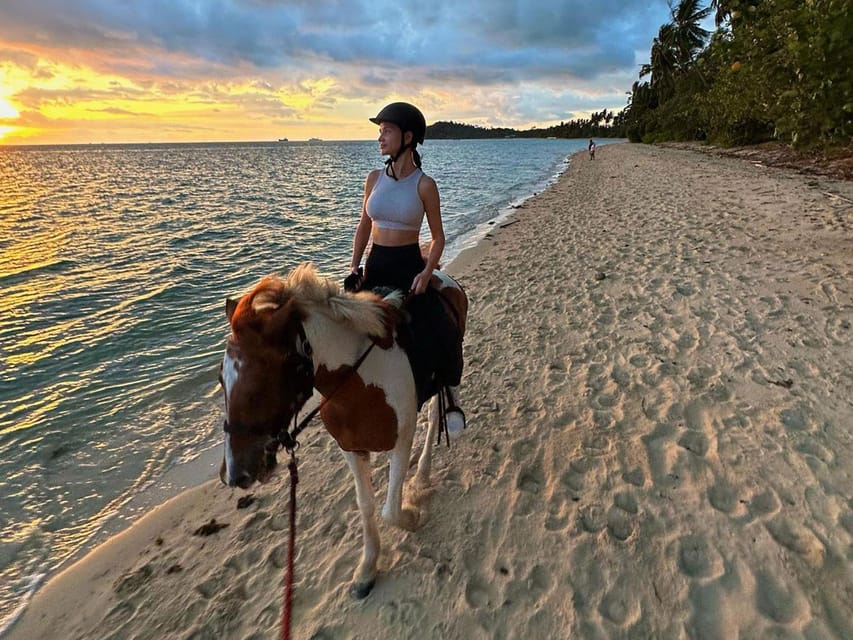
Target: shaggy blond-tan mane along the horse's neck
[363, 312]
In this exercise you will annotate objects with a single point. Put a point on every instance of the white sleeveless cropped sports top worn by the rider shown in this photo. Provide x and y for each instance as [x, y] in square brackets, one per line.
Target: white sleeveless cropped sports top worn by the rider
[396, 204]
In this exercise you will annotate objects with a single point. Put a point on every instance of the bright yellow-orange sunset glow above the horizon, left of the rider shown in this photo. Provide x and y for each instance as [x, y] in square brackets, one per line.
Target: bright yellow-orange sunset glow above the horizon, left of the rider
[54, 101]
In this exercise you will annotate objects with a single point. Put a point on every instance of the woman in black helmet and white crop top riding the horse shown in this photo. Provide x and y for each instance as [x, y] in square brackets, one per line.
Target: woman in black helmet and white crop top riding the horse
[396, 200]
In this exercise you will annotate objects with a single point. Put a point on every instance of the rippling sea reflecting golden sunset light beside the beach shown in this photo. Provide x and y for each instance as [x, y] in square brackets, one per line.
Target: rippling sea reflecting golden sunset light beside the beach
[114, 265]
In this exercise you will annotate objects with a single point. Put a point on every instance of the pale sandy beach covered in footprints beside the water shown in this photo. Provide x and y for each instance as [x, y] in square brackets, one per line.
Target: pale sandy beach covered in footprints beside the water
[659, 392]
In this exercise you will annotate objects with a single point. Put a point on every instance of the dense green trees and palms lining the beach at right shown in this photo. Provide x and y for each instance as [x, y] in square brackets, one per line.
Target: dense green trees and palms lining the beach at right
[772, 70]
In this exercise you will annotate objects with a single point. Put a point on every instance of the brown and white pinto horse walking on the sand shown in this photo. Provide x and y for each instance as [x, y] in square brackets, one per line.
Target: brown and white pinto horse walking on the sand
[289, 335]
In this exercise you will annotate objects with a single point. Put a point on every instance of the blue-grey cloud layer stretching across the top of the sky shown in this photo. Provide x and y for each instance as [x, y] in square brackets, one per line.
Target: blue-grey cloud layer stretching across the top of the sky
[504, 39]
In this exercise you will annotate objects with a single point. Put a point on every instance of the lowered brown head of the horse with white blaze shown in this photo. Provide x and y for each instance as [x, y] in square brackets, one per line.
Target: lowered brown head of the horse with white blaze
[267, 375]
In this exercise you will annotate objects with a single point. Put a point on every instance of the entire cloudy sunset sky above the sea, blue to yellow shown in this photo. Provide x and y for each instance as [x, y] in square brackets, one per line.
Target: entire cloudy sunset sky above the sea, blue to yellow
[80, 71]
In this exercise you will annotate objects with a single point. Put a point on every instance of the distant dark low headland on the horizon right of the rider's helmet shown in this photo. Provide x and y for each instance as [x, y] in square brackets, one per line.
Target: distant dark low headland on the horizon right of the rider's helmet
[605, 124]
